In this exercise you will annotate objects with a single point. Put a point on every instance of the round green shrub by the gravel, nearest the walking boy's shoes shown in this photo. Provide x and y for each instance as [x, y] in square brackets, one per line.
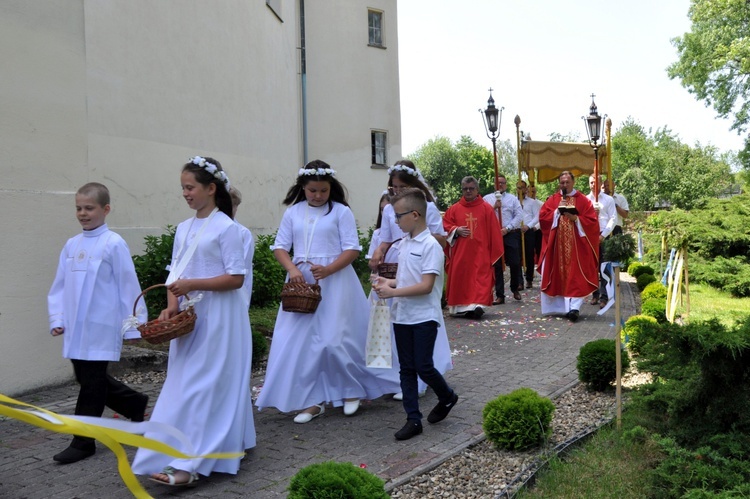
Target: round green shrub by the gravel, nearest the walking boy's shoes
[518, 420]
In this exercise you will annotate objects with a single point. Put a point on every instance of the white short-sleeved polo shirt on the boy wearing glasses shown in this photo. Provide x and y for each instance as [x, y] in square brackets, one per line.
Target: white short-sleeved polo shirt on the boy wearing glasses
[418, 256]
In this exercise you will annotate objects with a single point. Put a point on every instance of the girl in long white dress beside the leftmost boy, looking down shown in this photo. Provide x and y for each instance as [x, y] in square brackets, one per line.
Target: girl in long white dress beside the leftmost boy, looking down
[207, 391]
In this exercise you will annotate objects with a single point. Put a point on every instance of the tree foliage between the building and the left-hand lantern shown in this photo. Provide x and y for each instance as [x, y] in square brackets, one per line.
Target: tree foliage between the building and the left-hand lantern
[443, 164]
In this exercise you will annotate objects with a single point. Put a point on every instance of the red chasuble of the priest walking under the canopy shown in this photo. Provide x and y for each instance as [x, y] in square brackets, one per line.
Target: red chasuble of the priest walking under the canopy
[569, 259]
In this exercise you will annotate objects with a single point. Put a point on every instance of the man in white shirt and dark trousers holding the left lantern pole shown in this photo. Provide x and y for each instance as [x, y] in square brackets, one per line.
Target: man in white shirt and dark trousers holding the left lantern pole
[510, 221]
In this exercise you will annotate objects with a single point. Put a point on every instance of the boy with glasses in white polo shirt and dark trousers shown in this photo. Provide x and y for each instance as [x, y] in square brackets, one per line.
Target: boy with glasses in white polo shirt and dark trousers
[416, 310]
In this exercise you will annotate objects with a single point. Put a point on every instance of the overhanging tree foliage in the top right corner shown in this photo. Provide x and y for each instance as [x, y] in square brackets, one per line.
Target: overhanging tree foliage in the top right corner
[714, 60]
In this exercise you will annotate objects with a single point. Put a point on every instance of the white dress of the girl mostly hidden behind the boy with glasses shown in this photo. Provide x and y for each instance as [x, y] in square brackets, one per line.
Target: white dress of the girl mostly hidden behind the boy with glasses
[389, 232]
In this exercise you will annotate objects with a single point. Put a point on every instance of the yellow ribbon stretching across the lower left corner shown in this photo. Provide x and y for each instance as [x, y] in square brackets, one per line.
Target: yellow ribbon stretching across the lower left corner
[110, 437]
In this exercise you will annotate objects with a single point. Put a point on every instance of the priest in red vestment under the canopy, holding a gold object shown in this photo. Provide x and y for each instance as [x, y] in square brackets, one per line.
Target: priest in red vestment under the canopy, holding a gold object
[570, 250]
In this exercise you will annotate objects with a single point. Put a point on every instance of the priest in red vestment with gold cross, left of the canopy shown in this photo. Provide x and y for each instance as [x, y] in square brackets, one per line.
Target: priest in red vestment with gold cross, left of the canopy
[475, 245]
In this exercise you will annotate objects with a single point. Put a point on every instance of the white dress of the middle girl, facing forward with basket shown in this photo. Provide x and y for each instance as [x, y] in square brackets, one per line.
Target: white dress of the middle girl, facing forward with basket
[319, 357]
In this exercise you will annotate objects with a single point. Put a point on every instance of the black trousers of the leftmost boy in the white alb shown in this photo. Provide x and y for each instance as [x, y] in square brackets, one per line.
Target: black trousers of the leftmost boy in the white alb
[99, 389]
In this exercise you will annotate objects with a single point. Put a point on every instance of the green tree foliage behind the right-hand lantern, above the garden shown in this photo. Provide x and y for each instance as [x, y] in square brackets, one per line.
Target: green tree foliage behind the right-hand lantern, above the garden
[655, 169]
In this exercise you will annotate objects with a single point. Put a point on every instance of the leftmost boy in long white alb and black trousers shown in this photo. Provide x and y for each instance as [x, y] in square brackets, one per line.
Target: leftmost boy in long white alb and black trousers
[92, 295]
